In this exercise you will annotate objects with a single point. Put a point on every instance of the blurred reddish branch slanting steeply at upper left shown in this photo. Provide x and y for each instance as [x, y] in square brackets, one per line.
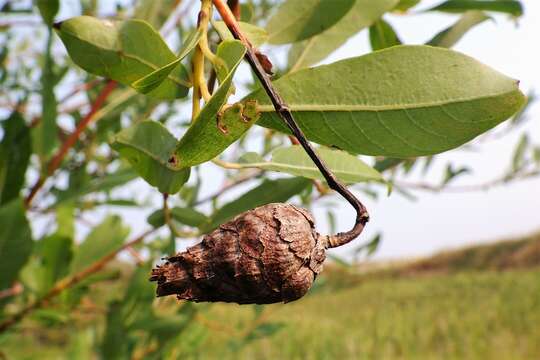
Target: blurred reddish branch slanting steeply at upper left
[71, 140]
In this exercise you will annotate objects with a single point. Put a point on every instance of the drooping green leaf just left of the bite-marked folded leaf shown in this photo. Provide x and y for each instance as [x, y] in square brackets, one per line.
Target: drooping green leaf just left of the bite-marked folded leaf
[148, 146]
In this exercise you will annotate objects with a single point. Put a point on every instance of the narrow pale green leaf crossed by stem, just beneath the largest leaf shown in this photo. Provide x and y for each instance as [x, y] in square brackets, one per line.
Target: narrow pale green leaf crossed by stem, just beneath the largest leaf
[294, 160]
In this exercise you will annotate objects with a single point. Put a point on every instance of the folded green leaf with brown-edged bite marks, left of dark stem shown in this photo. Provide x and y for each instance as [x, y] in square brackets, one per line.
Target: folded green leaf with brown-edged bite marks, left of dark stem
[216, 129]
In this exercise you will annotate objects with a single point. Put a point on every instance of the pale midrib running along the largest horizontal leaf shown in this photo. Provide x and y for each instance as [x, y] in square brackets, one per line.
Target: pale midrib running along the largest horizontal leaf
[390, 107]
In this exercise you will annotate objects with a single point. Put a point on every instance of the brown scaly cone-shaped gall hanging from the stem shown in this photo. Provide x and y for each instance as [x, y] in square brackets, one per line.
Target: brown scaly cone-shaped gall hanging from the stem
[266, 255]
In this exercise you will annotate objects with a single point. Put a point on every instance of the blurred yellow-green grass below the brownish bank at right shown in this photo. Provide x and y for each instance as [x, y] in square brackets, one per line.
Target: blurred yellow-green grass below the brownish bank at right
[459, 316]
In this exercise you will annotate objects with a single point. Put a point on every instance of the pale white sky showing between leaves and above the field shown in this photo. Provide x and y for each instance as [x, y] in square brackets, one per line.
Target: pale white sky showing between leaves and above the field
[447, 220]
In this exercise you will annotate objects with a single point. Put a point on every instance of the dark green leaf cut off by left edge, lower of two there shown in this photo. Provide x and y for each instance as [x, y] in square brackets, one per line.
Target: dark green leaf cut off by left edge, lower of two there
[15, 242]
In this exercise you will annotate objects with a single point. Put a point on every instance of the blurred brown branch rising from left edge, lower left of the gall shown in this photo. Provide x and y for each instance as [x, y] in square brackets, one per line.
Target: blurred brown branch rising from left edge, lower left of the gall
[69, 282]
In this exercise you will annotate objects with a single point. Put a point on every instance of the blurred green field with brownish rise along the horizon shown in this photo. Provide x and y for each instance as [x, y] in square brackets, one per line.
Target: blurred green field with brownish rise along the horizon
[488, 307]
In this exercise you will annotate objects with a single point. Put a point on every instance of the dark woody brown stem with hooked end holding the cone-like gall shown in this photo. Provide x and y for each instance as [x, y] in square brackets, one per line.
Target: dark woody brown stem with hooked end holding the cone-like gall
[283, 111]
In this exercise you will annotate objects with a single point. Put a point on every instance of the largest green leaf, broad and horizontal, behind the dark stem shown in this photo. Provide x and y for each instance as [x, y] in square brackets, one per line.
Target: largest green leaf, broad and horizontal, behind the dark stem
[428, 100]
